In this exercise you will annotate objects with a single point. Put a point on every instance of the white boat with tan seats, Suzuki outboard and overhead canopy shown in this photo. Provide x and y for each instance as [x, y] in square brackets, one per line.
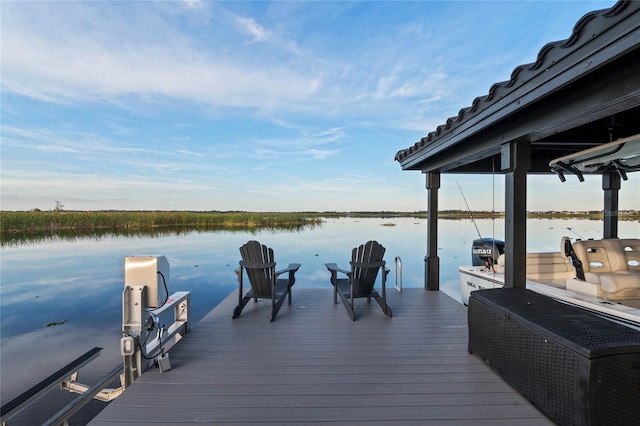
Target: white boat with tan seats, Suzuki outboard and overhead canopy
[600, 275]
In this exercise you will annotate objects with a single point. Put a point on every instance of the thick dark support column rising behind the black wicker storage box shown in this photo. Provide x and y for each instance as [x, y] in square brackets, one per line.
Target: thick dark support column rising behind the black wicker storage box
[515, 157]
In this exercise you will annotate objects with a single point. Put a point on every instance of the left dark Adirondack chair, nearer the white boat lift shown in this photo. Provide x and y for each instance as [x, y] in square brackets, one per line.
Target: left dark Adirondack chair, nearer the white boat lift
[260, 266]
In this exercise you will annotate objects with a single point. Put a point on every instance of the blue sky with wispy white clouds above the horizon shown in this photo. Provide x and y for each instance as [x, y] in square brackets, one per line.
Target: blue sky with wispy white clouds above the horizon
[259, 106]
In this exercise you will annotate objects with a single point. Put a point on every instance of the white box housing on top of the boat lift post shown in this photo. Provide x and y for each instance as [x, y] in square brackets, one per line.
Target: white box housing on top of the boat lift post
[150, 271]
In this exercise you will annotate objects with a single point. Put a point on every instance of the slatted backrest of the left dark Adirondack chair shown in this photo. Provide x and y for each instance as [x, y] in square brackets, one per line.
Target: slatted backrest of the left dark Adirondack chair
[258, 260]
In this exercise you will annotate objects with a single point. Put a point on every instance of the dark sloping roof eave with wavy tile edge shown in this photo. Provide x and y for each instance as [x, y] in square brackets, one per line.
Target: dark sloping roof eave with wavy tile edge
[598, 38]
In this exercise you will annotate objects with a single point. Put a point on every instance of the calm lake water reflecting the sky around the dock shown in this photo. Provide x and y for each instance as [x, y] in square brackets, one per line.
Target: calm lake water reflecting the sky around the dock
[80, 282]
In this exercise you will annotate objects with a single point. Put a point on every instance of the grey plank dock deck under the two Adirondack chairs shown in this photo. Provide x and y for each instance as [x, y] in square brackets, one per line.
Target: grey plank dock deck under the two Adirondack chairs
[315, 365]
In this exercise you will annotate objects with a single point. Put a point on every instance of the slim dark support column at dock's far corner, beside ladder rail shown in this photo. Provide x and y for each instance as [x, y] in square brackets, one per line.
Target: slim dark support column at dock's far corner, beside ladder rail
[432, 261]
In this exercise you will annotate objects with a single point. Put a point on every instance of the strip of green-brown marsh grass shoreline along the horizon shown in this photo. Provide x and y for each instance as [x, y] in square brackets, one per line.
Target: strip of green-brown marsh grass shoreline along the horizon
[56, 220]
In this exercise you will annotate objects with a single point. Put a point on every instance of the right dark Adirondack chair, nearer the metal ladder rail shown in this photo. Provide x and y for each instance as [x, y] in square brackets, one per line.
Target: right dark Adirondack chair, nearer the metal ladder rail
[366, 261]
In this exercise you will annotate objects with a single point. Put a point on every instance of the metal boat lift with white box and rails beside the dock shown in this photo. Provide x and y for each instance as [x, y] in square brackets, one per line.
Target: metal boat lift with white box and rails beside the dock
[143, 315]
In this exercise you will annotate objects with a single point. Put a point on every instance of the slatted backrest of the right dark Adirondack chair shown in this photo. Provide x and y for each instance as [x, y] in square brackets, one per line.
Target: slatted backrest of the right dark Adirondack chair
[366, 261]
